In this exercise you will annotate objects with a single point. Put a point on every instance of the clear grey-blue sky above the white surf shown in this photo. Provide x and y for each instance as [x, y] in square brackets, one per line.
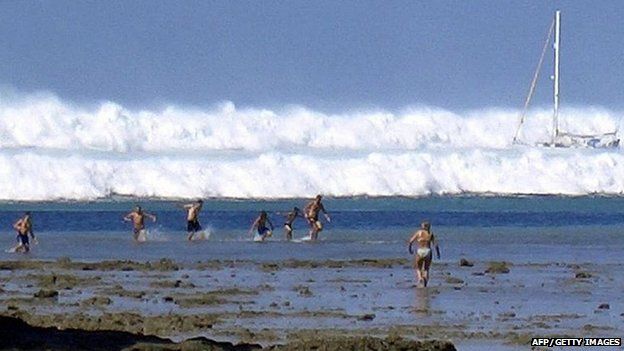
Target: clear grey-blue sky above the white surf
[335, 55]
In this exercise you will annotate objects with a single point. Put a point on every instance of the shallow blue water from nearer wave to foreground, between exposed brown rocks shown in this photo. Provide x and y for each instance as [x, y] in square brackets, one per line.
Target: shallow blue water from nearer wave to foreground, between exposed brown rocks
[545, 240]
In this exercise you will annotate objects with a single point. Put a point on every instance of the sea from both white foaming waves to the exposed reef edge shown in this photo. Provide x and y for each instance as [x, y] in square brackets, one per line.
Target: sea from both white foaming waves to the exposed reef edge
[81, 168]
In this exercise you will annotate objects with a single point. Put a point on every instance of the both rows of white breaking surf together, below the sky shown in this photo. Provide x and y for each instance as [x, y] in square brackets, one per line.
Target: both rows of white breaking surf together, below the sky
[51, 149]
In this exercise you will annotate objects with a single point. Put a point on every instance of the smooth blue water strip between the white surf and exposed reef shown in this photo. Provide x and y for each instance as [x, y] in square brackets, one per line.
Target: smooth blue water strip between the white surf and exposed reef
[533, 229]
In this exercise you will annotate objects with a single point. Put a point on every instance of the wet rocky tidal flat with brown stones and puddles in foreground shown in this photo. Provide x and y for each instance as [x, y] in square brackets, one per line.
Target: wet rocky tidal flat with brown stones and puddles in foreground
[269, 303]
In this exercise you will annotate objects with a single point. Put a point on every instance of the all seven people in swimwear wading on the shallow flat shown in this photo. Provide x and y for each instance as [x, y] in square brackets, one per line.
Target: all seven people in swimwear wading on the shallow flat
[423, 237]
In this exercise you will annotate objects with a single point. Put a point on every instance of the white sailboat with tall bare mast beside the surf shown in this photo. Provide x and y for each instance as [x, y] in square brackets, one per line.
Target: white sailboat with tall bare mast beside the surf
[560, 138]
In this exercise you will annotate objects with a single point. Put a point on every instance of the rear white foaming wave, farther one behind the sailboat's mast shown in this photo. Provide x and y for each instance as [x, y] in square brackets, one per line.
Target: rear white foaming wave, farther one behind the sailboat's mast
[44, 121]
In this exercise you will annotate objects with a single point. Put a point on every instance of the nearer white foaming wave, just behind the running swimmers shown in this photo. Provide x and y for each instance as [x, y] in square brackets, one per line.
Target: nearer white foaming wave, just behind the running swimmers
[28, 175]
